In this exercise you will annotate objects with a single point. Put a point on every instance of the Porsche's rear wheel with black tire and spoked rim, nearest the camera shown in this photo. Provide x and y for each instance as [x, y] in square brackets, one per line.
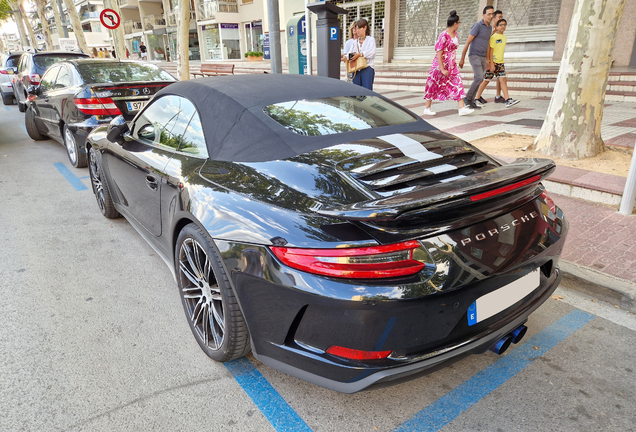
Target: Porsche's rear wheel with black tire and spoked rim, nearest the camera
[208, 298]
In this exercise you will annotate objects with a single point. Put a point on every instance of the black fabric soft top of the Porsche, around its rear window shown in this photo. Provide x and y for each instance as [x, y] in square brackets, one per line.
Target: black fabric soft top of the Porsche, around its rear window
[236, 128]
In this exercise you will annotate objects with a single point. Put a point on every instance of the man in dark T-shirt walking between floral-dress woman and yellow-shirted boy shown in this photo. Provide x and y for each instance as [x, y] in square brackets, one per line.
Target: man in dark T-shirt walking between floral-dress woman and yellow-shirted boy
[478, 43]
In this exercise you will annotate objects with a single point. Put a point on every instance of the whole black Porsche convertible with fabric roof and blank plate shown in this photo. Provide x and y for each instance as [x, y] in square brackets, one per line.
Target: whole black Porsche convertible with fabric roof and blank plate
[335, 234]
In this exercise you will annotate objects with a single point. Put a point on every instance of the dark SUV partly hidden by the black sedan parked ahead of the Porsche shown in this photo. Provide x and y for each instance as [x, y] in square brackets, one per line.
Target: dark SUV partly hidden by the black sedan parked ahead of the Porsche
[32, 66]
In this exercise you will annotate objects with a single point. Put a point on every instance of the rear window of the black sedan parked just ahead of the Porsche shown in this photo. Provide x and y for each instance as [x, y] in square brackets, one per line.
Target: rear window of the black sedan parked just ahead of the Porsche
[116, 72]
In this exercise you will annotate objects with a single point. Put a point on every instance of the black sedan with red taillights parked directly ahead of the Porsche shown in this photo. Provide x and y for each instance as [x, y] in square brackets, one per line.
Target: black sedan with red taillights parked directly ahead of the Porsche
[75, 96]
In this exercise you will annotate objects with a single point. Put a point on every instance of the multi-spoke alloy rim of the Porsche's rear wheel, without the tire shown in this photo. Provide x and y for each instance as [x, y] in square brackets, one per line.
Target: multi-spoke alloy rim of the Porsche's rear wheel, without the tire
[201, 294]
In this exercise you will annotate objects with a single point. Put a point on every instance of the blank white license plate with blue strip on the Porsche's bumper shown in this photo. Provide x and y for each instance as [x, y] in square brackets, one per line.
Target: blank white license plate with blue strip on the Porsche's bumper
[494, 302]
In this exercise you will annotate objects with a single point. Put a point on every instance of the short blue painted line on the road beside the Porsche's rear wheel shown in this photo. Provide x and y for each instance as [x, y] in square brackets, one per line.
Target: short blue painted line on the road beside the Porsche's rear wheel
[272, 405]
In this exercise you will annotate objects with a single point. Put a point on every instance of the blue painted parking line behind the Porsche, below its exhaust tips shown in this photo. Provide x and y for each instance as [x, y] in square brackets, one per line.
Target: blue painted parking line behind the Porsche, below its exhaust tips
[448, 407]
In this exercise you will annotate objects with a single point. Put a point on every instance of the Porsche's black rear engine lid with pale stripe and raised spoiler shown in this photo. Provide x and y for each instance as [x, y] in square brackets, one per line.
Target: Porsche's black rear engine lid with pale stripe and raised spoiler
[383, 178]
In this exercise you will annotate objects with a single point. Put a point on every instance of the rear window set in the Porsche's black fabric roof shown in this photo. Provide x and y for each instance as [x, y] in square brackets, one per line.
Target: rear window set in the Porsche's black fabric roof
[337, 114]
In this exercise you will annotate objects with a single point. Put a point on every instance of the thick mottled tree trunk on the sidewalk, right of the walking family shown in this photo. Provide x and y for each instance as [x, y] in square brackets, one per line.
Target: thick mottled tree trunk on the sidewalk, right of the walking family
[572, 127]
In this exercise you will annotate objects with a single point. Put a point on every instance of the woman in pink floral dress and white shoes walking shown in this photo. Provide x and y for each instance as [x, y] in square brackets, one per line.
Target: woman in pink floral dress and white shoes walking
[444, 82]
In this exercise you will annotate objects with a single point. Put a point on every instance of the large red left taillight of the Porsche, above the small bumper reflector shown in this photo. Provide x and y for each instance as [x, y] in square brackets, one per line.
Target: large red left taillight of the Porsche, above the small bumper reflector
[394, 260]
